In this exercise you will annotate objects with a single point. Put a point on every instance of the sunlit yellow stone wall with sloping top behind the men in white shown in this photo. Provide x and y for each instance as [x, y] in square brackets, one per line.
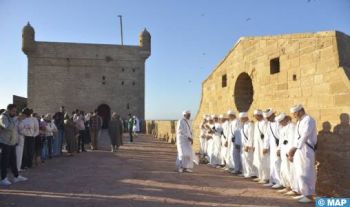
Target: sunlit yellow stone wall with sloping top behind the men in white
[313, 71]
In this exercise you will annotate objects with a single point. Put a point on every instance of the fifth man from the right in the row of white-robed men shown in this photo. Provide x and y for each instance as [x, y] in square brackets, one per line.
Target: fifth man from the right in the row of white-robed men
[247, 136]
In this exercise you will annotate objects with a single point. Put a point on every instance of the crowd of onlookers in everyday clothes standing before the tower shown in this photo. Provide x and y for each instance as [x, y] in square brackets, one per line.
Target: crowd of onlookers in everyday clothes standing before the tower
[28, 139]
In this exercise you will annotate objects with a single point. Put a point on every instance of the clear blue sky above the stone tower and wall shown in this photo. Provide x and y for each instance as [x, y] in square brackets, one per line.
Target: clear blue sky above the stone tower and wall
[188, 37]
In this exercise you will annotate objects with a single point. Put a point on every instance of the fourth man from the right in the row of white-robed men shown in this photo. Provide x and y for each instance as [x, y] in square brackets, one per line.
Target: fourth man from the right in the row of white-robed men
[260, 161]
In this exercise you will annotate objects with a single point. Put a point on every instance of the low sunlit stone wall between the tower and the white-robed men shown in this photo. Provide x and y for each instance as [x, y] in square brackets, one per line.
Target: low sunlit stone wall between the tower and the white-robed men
[162, 129]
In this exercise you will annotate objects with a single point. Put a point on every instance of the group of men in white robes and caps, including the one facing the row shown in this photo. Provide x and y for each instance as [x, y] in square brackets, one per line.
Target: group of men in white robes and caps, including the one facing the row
[273, 151]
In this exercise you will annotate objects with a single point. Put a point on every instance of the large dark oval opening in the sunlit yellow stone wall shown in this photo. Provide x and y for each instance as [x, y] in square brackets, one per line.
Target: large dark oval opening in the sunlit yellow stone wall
[243, 93]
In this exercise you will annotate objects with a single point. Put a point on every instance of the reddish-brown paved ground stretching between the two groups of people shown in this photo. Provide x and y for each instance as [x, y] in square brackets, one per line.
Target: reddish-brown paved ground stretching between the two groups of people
[140, 174]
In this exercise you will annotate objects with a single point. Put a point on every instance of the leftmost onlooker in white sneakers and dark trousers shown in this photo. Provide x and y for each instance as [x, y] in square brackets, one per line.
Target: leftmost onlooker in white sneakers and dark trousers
[8, 141]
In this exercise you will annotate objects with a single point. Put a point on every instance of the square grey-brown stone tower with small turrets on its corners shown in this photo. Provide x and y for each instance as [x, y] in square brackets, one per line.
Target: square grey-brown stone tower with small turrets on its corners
[110, 78]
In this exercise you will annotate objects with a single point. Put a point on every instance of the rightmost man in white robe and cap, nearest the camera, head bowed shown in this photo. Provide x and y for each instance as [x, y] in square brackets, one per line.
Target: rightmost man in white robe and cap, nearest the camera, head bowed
[302, 154]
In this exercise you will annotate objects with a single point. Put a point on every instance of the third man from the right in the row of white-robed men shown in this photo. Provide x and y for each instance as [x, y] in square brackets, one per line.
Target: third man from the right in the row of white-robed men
[271, 145]
